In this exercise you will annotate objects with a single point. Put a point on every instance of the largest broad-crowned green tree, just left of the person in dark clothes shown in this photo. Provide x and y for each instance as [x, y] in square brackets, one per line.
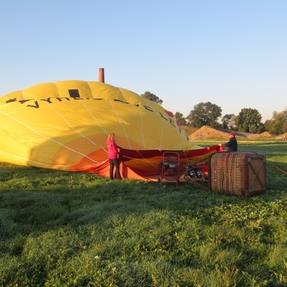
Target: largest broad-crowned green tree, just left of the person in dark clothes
[204, 114]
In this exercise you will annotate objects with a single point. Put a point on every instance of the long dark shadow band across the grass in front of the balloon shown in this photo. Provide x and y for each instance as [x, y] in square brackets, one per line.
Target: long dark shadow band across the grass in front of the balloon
[35, 200]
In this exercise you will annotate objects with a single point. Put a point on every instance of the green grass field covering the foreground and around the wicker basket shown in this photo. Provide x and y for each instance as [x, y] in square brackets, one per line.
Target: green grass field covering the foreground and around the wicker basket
[63, 229]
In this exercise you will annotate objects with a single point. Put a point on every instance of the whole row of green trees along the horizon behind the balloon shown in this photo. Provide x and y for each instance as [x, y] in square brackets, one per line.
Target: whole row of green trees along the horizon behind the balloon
[248, 120]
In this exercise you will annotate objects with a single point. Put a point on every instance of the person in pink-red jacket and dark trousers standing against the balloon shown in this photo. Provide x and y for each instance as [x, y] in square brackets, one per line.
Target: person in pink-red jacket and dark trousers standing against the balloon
[113, 156]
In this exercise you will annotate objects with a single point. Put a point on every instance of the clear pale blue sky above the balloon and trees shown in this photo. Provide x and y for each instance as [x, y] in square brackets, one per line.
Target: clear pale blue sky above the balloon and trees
[232, 53]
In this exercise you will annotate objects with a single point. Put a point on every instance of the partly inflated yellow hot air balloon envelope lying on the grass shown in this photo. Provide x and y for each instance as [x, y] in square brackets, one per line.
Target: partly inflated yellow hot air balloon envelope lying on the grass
[64, 125]
